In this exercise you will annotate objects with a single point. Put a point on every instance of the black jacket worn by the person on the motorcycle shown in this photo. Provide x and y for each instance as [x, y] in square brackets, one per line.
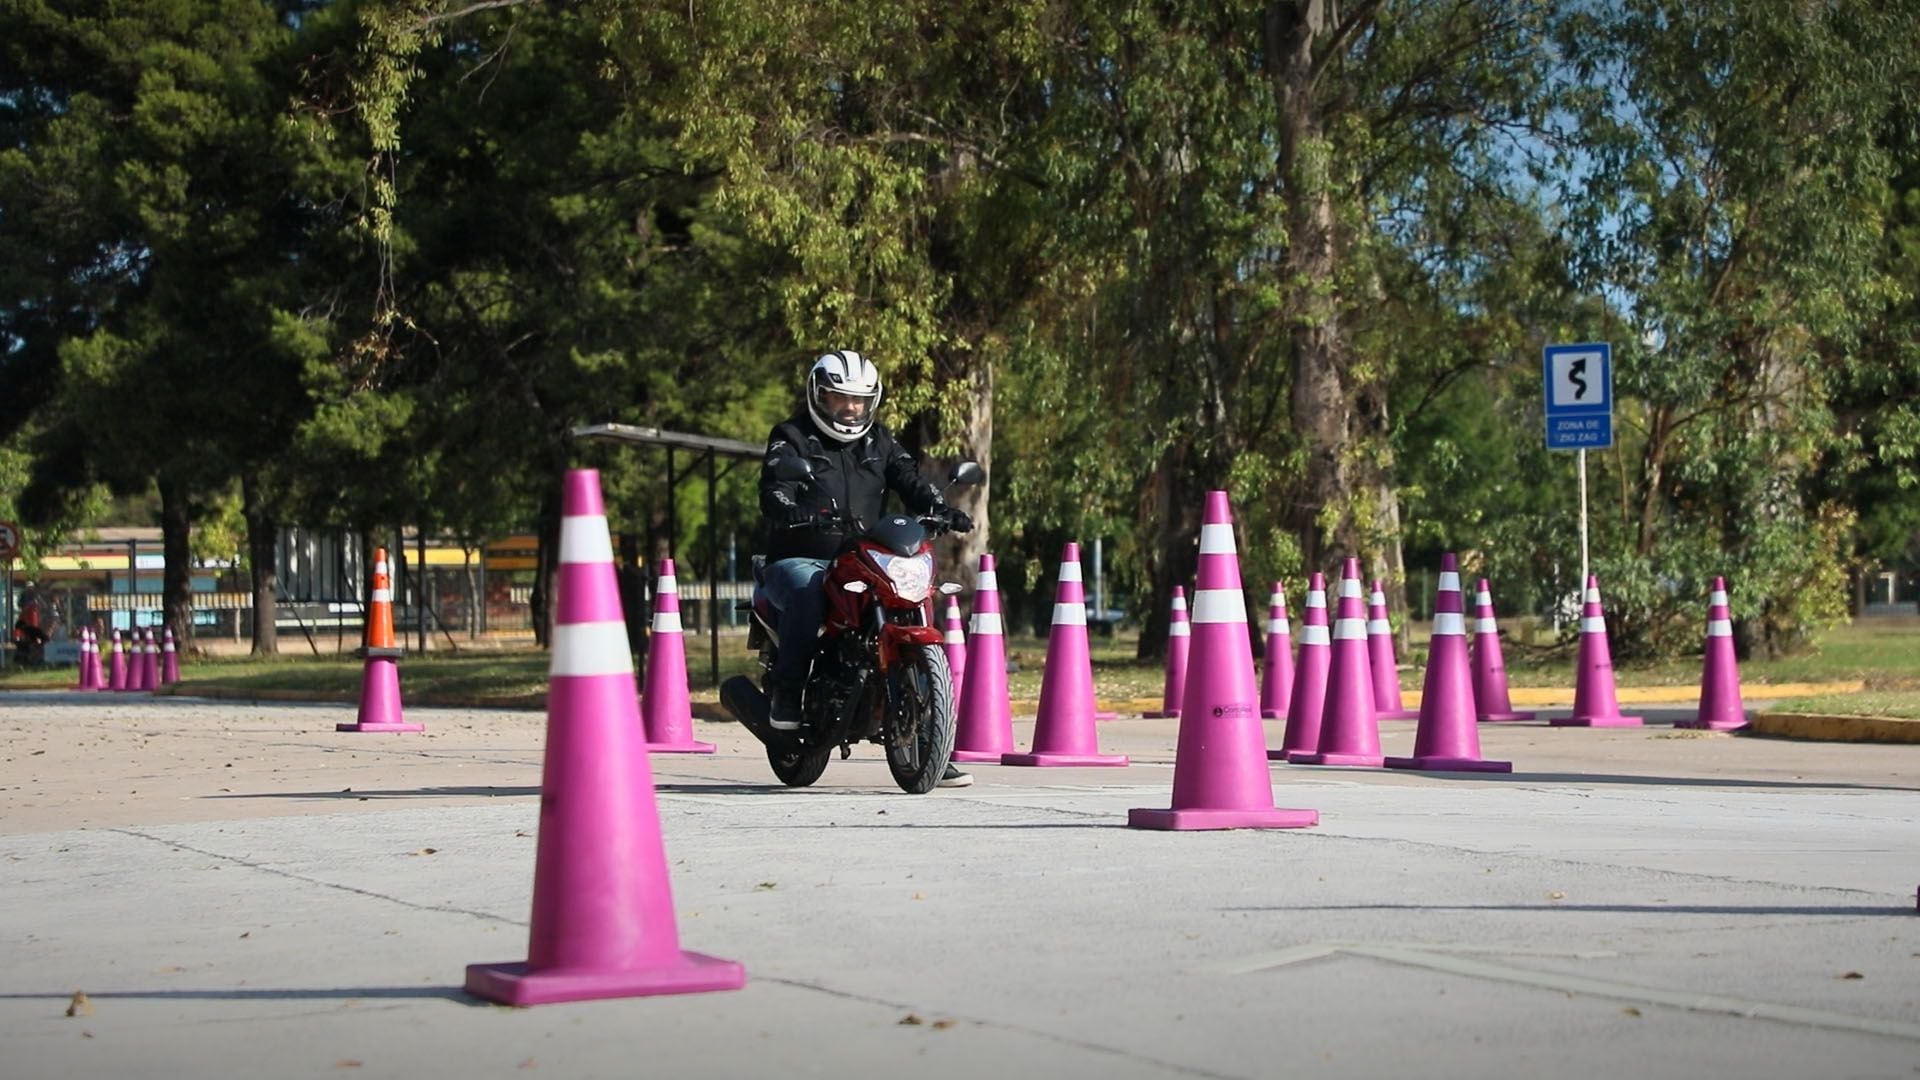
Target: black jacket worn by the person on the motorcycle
[852, 478]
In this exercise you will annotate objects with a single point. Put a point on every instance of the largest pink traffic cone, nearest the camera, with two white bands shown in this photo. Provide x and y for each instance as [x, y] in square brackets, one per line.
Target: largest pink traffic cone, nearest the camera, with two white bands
[604, 908]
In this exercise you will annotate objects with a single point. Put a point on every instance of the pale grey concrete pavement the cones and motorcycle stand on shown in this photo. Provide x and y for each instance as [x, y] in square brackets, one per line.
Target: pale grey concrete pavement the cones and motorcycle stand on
[241, 891]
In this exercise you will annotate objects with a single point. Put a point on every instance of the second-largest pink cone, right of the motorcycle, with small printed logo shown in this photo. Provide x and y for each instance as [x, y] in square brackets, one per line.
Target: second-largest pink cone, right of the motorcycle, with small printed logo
[1220, 770]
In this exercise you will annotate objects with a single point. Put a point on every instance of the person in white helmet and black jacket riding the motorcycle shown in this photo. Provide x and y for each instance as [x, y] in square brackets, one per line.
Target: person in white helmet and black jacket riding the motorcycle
[855, 462]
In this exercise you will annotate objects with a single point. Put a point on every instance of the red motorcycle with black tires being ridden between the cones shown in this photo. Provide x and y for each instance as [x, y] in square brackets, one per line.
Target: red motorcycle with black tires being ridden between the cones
[880, 674]
